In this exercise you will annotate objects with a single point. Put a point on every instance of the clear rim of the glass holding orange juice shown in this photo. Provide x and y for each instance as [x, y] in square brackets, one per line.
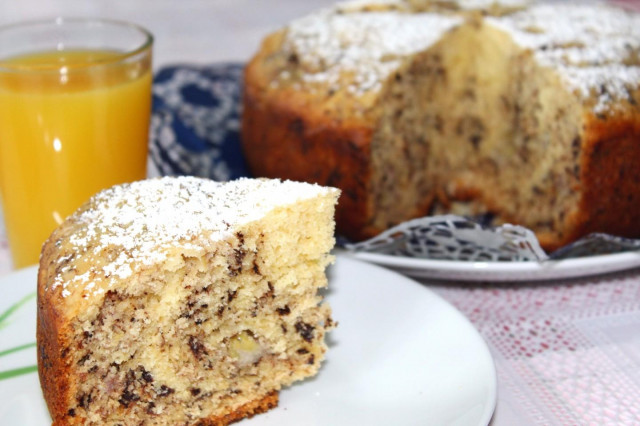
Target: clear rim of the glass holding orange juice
[59, 22]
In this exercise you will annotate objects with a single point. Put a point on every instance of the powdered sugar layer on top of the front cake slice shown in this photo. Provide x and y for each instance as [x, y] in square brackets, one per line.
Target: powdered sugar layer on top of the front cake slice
[137, 223]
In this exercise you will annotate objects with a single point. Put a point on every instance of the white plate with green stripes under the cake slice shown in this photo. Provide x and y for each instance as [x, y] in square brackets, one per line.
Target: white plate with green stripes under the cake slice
[401, 355]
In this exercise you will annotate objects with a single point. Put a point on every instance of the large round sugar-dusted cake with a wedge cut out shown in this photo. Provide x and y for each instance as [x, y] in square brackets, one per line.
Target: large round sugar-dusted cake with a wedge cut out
[524, 111]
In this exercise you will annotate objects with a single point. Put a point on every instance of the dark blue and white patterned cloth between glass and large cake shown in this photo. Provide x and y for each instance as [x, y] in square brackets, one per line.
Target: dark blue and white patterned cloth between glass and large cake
[195, 124]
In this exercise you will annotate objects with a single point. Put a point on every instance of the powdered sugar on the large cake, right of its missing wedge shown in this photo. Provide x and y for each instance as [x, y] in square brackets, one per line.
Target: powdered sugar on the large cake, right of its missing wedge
[595, 47]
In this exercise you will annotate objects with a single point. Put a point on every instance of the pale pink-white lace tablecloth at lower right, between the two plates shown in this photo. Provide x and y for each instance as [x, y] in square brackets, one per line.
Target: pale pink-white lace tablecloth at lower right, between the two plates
[566, 352]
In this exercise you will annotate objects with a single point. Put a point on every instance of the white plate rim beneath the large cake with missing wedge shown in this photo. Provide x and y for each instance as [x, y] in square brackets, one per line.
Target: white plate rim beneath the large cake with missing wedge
[505, 271]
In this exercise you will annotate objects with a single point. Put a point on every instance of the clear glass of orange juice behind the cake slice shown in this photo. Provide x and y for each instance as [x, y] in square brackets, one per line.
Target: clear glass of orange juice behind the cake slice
[75, 101]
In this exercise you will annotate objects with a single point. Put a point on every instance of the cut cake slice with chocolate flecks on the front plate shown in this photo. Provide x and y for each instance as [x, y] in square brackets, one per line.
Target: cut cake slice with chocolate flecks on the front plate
[183, 301]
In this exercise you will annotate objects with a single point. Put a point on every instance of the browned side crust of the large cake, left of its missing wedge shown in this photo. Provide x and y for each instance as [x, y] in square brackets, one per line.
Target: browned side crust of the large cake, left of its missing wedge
[313, 147]
